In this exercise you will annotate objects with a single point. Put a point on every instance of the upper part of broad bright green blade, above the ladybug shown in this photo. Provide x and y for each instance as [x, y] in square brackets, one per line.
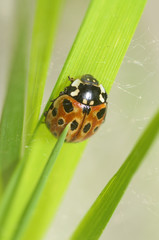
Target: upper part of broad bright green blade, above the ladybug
[102, 41]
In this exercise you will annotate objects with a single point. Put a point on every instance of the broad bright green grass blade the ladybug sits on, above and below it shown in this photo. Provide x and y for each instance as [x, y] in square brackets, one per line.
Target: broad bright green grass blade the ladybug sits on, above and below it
[99, 48]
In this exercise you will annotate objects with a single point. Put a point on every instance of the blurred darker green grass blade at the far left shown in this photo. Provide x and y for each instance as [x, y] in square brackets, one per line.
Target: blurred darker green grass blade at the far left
[13, 111]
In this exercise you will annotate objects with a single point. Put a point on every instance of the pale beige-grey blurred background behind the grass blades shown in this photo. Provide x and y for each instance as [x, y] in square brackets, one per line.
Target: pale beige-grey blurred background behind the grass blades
[133, 100]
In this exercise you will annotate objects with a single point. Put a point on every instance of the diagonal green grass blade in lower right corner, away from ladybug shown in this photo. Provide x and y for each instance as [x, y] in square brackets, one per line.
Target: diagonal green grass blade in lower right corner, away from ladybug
[98, 216]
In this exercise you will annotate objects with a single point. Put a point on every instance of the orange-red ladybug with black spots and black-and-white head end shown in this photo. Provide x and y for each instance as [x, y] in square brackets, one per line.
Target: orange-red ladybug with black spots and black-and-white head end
[82, 104]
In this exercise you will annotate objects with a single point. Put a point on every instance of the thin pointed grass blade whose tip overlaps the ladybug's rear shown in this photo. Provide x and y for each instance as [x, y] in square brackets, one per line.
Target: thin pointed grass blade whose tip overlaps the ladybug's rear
[39, 188]
